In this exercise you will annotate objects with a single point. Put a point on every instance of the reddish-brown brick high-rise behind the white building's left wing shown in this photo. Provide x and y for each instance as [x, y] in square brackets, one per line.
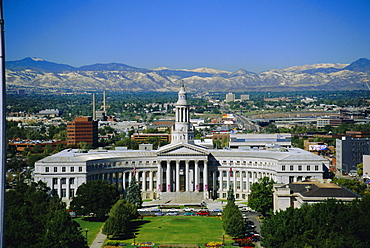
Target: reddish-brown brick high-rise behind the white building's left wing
[82, 129]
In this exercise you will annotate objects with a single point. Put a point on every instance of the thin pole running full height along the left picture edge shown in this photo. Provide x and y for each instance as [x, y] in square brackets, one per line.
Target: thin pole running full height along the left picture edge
[2, 128]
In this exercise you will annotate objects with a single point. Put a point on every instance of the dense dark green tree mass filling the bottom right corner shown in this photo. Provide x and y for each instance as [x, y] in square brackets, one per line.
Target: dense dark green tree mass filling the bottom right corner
[328, 224]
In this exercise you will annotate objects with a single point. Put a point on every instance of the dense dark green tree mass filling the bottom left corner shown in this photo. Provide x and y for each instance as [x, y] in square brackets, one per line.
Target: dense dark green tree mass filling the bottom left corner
[36, 219]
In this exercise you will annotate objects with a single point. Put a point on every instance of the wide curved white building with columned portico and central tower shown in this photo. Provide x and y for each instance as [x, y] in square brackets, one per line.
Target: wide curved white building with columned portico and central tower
[180, 171]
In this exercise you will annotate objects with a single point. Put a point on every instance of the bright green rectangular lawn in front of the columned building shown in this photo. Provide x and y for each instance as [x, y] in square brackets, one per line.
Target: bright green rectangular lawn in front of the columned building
[177, 230]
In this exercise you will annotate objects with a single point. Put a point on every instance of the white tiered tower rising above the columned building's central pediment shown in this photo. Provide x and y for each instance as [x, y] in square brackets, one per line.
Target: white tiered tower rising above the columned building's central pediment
[181, 131]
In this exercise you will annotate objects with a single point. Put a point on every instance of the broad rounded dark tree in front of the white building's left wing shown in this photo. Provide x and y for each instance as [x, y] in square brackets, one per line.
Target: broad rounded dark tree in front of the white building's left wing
[95, 197]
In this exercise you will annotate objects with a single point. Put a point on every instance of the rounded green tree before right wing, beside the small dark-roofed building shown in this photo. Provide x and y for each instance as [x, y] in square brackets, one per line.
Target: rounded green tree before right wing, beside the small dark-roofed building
[261, 196]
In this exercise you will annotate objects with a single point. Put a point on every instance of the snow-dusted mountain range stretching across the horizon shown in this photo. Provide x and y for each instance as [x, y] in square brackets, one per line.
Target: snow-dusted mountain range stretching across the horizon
[37, 74]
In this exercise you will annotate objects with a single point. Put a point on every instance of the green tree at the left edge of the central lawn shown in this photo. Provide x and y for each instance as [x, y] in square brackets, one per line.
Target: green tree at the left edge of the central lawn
[119, 218]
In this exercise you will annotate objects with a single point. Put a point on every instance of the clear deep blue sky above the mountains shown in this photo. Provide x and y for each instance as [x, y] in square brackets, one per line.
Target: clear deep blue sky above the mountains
[256, 35]
